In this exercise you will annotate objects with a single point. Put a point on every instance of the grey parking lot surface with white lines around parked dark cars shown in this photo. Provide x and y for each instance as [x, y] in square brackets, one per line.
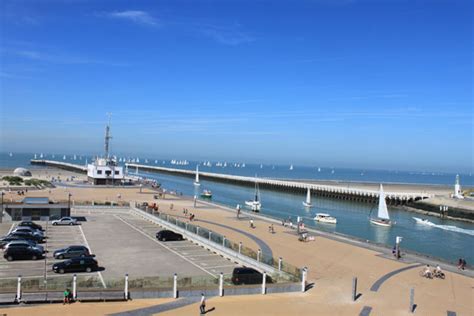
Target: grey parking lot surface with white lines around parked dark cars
[122, 243]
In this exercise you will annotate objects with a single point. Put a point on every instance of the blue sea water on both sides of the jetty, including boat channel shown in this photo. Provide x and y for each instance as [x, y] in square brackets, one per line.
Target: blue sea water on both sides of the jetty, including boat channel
[443, 239]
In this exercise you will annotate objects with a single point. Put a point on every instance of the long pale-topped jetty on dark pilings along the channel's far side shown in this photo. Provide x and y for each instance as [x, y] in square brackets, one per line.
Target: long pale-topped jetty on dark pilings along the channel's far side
[334, 191]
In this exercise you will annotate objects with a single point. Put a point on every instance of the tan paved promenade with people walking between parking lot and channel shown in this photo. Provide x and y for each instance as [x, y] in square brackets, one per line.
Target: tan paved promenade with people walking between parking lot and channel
[384, 283]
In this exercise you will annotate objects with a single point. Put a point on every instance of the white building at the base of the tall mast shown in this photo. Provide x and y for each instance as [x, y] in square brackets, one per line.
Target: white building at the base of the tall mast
[105, 171]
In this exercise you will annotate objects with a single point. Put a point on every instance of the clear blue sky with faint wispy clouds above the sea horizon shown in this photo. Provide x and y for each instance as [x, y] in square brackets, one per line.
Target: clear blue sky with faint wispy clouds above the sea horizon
[370, 84]
